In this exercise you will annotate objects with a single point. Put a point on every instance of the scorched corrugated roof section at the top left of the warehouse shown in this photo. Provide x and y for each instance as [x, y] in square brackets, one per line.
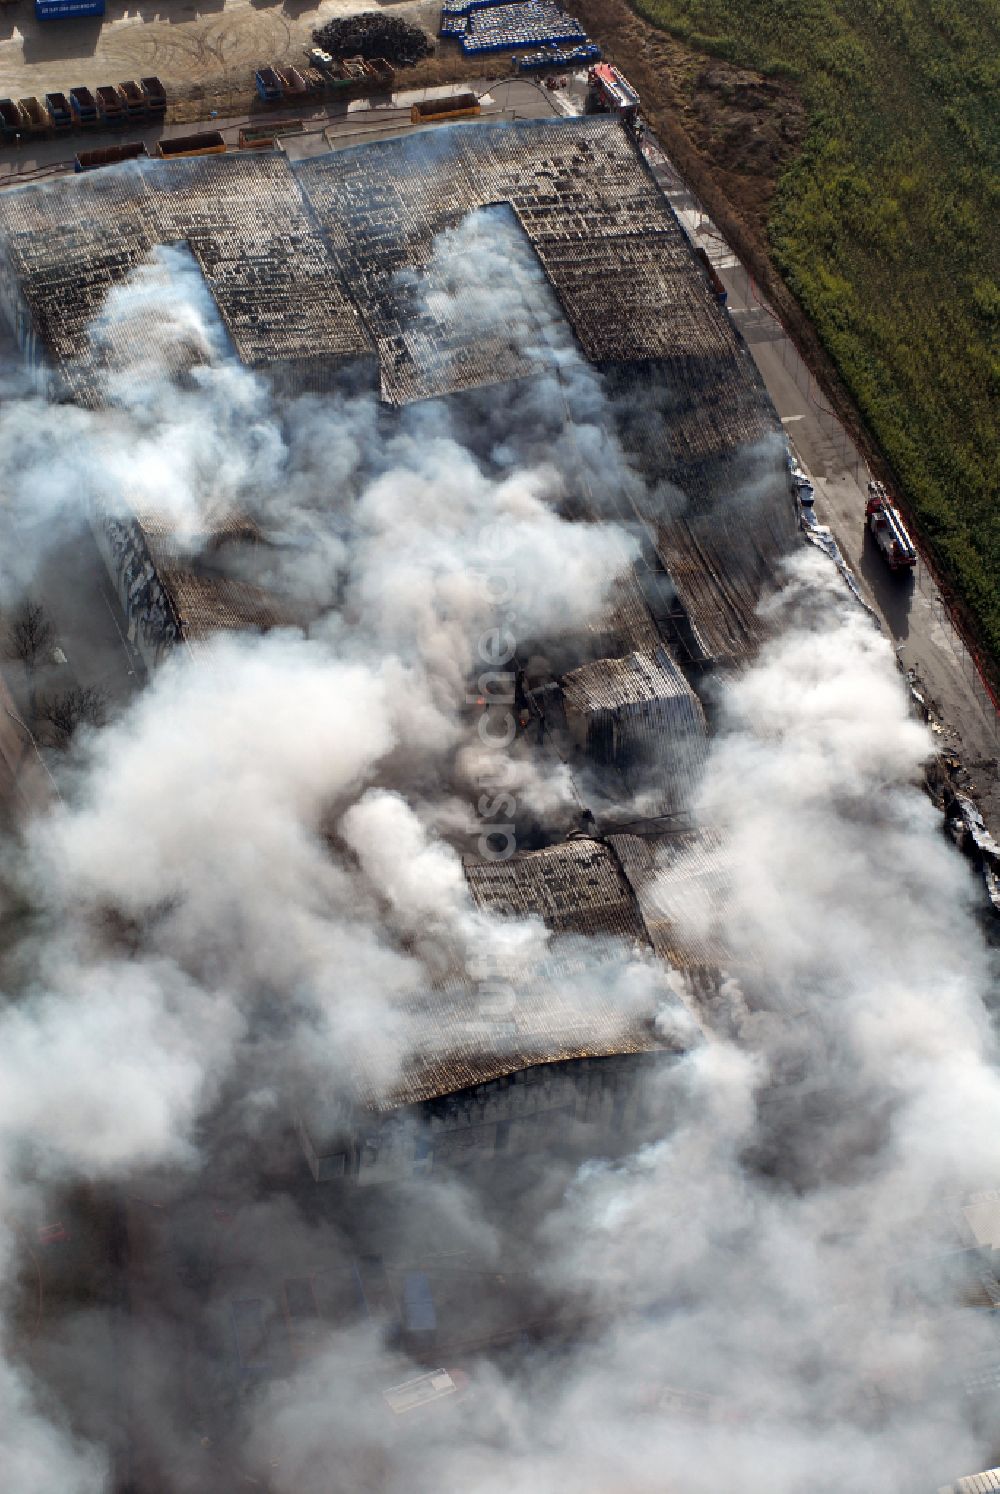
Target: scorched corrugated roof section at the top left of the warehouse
[65, 247]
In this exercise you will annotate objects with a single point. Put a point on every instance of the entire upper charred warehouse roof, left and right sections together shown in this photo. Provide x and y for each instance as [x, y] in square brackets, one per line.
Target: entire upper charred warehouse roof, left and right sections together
[327, 264]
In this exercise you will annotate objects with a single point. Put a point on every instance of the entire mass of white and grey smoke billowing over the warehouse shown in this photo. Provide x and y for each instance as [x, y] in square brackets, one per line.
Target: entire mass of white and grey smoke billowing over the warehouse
[252, 875]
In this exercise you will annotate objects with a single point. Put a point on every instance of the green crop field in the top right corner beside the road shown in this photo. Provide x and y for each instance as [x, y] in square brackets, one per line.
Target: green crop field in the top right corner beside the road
[889, 231]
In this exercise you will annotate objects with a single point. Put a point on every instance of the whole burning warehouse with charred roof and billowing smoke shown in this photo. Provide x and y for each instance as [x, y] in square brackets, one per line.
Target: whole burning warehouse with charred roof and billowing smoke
[461, 951]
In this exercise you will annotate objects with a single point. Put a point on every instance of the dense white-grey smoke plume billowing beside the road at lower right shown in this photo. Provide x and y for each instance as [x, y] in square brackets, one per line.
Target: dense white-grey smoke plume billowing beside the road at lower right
[751, 1274]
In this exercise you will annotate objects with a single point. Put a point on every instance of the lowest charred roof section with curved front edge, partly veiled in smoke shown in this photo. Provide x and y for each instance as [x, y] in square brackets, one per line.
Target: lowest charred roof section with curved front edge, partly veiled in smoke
[515, 1060]
